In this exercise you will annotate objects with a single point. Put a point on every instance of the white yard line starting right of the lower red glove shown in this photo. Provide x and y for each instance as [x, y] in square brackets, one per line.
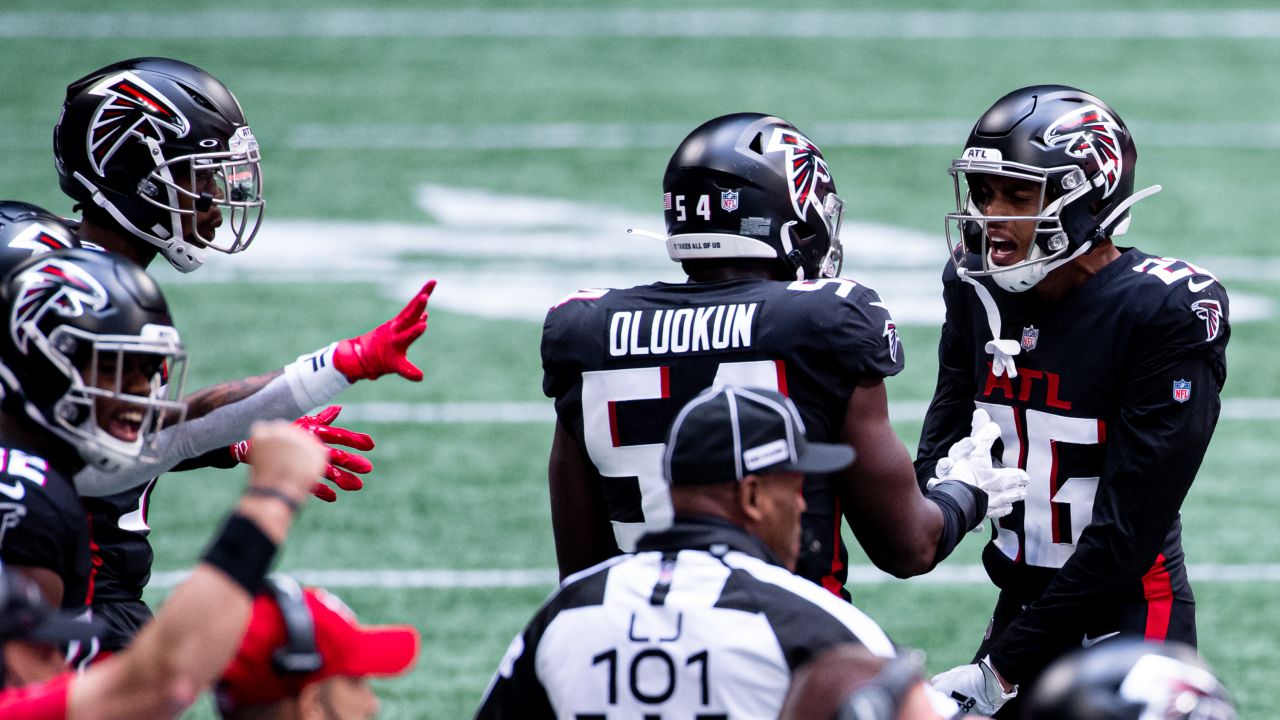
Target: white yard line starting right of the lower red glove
[1251, 409]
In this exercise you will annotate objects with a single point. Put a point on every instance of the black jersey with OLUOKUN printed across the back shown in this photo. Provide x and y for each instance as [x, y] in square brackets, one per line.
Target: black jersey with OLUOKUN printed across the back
[621, 363]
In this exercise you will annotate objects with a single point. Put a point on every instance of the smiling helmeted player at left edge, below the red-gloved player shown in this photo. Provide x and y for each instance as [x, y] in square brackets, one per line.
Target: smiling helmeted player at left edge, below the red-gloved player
[92, 370]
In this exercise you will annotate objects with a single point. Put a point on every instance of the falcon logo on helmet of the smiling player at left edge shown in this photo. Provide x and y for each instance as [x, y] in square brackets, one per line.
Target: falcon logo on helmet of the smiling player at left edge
[53, 286]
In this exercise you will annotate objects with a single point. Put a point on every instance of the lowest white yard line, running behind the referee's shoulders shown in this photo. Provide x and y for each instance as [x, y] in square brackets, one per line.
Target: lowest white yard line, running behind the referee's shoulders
[547, 578]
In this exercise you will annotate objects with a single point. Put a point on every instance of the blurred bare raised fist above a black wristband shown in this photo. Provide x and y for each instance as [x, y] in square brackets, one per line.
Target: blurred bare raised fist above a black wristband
[285, 459]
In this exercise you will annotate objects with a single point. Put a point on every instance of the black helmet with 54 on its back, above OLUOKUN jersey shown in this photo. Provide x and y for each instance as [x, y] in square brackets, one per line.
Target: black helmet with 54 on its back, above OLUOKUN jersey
[753, 186]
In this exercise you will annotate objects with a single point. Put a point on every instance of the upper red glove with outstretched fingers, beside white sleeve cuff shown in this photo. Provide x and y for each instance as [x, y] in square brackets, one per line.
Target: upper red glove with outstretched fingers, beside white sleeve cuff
[382, 350]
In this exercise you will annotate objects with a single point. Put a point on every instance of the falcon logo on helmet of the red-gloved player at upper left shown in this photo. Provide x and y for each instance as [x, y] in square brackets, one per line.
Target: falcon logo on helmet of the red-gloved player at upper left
[130, 110]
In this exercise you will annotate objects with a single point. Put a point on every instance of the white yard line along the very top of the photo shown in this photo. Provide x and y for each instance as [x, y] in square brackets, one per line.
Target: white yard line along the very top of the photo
[647, 22]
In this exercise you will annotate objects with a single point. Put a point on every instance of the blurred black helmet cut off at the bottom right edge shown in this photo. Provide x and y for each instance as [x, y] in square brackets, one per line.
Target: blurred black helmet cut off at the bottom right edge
[1131, 680]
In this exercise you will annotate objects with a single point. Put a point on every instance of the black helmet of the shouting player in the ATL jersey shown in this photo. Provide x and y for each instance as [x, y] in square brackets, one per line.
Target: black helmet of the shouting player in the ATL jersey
[1081, 154]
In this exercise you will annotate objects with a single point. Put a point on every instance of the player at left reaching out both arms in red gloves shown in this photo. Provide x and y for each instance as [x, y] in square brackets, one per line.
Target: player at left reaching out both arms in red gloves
[159, 160]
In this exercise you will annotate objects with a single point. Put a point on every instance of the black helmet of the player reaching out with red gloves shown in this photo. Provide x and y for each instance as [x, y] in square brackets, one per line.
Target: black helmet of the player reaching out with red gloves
[150, 142]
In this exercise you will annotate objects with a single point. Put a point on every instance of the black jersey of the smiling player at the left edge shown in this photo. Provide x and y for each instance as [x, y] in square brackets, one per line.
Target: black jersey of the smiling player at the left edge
[43, 523]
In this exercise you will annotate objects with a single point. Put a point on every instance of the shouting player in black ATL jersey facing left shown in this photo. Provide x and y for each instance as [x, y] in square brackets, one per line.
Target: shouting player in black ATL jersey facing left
[1103, 367]
